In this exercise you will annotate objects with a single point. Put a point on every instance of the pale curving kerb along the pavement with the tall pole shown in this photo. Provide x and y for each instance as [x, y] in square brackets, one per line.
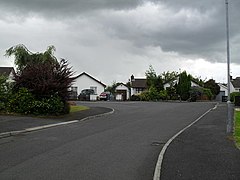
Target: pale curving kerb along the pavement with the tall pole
[158, 167]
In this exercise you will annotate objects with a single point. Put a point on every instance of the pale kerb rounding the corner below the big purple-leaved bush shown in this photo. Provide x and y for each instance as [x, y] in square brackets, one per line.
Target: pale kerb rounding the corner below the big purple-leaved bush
[13, 133]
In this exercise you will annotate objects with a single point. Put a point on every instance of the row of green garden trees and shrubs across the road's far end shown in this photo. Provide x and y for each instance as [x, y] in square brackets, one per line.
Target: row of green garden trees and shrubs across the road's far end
[179, 87]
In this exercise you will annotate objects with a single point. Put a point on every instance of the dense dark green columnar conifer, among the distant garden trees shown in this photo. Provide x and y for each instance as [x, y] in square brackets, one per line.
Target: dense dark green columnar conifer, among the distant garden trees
[184, 85]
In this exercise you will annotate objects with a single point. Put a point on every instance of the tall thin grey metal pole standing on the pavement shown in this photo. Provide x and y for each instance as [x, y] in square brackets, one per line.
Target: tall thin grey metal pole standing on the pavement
[229, 114]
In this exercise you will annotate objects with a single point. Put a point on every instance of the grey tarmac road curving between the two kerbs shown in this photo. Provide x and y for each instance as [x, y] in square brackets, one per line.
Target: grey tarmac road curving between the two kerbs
[124, 145]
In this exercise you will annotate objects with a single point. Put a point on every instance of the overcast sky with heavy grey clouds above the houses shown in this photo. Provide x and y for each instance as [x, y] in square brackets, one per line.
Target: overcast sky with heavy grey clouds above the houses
[114, 39]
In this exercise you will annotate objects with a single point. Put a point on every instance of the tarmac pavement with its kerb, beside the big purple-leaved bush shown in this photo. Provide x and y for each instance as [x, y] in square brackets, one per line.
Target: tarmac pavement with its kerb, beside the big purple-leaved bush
[12, 125]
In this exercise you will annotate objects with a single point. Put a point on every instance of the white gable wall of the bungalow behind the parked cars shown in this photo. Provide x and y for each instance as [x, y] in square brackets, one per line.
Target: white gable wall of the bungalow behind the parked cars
[85, 82]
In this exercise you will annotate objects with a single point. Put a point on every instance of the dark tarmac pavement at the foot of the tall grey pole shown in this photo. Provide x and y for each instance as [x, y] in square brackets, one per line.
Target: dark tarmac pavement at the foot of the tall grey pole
[203, 152]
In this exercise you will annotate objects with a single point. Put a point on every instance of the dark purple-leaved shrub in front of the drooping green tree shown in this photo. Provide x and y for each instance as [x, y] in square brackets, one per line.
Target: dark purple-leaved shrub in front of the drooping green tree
[45, 79]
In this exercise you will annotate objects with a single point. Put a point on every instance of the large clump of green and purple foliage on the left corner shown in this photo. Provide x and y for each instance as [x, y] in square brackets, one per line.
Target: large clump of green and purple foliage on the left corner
[42, 78]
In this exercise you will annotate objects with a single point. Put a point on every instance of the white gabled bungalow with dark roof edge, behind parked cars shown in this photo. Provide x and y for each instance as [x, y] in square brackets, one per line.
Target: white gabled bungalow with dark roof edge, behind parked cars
[85, 81]
